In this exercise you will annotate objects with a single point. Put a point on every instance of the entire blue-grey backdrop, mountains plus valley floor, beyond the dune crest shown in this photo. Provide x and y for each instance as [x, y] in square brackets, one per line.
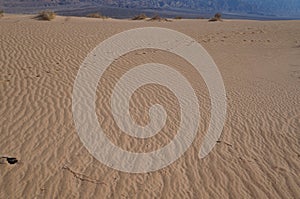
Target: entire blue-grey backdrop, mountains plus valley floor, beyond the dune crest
[269, 9]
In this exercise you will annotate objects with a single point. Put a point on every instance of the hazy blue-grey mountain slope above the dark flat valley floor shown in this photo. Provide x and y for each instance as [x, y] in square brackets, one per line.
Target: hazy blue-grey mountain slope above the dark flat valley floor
[262, 7]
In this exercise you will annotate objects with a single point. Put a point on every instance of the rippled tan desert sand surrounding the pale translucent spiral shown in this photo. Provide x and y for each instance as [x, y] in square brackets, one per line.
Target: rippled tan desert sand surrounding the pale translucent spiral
[258, 155]
